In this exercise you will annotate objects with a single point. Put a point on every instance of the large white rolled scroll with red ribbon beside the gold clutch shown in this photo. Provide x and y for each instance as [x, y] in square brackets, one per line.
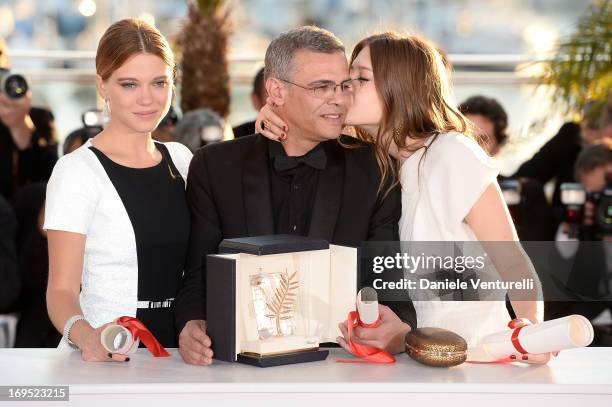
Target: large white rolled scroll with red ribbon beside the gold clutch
[573, 331]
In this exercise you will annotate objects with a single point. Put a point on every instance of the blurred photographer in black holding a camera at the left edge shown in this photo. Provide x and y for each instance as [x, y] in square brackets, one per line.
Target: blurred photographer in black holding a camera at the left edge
[28, 146]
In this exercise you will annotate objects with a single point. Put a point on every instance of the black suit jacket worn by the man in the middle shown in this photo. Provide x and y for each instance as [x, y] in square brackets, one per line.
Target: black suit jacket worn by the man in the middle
[229, 194]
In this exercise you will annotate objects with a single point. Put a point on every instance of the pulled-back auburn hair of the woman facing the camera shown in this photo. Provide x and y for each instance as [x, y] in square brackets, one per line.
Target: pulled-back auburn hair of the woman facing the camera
[129, 37]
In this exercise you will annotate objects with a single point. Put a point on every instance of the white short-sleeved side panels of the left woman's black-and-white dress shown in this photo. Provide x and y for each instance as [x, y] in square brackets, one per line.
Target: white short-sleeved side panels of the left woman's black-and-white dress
[82, 199]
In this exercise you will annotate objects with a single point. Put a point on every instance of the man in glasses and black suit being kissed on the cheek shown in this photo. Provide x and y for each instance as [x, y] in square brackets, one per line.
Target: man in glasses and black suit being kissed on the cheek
[310, 185]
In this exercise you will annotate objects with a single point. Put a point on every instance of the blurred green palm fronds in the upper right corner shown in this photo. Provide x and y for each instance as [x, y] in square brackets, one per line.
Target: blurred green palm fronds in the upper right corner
[580, 69]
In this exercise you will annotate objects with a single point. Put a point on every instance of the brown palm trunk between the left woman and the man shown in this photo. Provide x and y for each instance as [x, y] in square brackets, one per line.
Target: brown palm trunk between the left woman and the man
[203, 44]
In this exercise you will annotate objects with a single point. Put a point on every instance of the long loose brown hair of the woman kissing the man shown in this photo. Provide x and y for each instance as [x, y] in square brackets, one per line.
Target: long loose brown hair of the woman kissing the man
[413, 81]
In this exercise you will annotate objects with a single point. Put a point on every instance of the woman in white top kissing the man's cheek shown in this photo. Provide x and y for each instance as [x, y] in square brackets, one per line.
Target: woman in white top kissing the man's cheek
[402, 106]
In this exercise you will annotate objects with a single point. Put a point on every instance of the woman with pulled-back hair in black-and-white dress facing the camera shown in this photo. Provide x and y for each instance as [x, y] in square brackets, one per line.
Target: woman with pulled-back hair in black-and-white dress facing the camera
[116, 214]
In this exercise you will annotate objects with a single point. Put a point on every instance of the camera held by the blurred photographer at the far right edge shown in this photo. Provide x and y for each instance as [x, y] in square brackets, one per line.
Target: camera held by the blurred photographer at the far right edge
[574, 197]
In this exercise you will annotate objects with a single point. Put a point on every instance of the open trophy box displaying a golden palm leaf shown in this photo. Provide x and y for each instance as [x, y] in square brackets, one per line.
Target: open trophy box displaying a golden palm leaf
[272, 300]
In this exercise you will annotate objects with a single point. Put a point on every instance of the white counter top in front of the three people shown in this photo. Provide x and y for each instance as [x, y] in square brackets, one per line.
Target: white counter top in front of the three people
[576, 376]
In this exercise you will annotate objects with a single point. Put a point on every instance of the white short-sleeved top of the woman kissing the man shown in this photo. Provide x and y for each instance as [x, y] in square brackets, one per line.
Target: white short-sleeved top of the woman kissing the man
[439, 188]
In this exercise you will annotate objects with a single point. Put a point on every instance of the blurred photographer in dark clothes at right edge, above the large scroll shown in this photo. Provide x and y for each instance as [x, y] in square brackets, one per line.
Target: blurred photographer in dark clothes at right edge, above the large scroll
[584, 263]
